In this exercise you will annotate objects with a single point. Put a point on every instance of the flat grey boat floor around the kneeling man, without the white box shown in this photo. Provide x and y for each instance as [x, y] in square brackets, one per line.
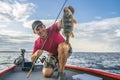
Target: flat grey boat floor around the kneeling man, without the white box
[18, 74]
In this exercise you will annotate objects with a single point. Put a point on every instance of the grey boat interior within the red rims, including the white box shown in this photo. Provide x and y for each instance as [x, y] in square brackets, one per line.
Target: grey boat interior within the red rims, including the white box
[18, 74]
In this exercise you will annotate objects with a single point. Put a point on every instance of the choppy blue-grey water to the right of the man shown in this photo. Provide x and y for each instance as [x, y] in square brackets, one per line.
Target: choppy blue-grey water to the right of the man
[104, 61]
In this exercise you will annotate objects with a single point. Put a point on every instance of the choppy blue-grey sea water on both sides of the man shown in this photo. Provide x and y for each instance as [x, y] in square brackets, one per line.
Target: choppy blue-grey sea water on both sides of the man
[109, 62]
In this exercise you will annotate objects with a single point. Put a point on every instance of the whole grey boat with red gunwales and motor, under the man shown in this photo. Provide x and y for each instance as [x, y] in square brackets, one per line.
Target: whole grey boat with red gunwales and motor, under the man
[18, 71]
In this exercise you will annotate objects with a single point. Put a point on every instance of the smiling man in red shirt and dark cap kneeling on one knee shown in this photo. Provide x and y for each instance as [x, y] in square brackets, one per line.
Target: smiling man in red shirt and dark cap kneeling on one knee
[53, 42]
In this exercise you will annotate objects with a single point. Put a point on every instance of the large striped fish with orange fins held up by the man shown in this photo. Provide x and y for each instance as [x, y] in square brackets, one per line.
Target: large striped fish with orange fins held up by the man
[68, 23]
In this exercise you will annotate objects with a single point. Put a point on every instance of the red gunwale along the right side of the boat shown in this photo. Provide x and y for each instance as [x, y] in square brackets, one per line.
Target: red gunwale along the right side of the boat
[94, 71]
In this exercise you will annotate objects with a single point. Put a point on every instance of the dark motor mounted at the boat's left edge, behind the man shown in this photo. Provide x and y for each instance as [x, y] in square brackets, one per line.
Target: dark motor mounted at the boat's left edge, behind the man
[20, 60]
